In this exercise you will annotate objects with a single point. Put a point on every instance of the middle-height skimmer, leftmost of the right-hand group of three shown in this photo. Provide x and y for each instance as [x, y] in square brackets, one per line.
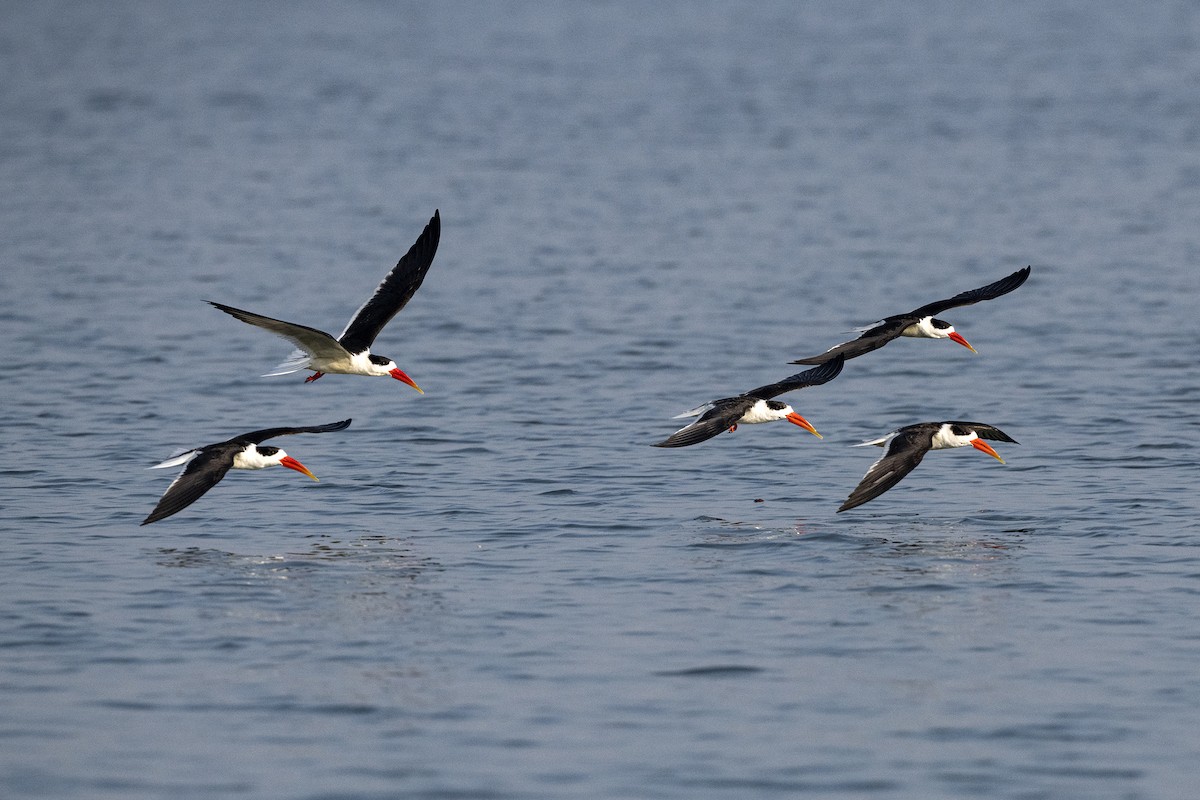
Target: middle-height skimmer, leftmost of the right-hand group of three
[753, 407]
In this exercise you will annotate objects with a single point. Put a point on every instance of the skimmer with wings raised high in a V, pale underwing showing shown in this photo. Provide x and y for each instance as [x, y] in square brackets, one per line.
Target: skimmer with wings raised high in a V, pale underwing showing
[351, 352]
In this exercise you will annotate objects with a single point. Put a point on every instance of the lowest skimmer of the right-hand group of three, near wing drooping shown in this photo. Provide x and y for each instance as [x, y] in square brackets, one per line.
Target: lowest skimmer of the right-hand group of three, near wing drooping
[908, 446]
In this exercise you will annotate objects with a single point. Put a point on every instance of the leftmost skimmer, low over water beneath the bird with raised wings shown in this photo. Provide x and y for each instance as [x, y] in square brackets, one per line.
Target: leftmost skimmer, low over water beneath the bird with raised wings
[208, 465]
